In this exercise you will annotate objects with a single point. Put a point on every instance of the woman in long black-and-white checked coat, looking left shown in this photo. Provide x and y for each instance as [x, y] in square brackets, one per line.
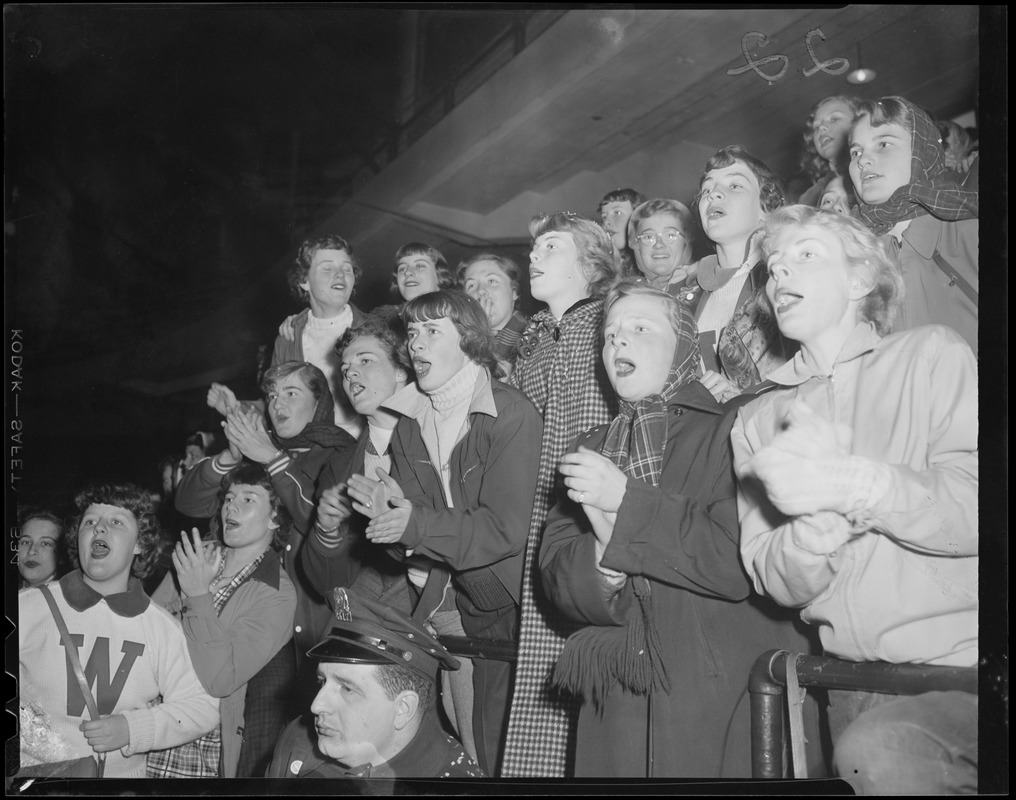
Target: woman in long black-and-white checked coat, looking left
[559, 370]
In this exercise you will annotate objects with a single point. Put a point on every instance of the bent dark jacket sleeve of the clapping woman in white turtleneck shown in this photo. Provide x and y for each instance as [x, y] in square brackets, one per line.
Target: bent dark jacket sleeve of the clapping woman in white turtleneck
[497, 528]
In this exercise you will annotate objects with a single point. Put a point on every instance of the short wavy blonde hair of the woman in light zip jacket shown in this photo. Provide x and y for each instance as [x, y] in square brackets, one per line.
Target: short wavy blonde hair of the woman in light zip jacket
[866, 255]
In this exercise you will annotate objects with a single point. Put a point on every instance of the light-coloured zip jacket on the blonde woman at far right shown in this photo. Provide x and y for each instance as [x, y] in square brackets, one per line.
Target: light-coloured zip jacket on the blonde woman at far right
[907, 590]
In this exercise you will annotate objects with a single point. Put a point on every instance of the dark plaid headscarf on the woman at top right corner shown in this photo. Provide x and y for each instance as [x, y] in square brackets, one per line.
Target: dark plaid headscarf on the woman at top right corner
[933, 189]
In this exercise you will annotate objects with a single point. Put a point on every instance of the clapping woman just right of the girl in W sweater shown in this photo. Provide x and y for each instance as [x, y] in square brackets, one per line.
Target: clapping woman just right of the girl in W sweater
[237, 606]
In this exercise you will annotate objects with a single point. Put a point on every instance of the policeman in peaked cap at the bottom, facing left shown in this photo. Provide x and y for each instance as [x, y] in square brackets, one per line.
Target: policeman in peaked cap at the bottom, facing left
[374, 716]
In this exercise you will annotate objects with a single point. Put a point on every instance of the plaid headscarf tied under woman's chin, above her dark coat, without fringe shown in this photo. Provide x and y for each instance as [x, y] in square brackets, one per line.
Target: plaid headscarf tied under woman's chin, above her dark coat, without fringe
[638, 437]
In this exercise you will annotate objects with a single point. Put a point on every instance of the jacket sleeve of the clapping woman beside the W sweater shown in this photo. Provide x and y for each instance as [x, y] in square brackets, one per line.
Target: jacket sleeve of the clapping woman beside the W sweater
[227, 656]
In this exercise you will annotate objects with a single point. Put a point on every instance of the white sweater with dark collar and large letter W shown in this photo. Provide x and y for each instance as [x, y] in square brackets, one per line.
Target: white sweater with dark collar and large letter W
[135, 657]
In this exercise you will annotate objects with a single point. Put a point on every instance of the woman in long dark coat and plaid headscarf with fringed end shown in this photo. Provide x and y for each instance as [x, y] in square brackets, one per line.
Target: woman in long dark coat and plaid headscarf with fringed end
[643, 550]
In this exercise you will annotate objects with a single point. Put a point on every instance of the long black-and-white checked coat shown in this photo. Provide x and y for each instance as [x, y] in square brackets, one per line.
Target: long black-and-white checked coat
[560, 370]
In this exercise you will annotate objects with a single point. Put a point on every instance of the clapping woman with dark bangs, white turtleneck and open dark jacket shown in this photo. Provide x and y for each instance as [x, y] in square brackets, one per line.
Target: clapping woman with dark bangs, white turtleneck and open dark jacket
[464, 472]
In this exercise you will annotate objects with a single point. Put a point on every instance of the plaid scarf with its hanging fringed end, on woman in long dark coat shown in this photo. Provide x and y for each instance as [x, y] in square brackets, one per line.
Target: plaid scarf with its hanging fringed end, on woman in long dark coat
[597, 658]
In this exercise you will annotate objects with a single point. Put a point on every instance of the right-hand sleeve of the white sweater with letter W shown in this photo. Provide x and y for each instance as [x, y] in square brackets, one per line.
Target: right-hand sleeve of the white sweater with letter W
[186, 712]
